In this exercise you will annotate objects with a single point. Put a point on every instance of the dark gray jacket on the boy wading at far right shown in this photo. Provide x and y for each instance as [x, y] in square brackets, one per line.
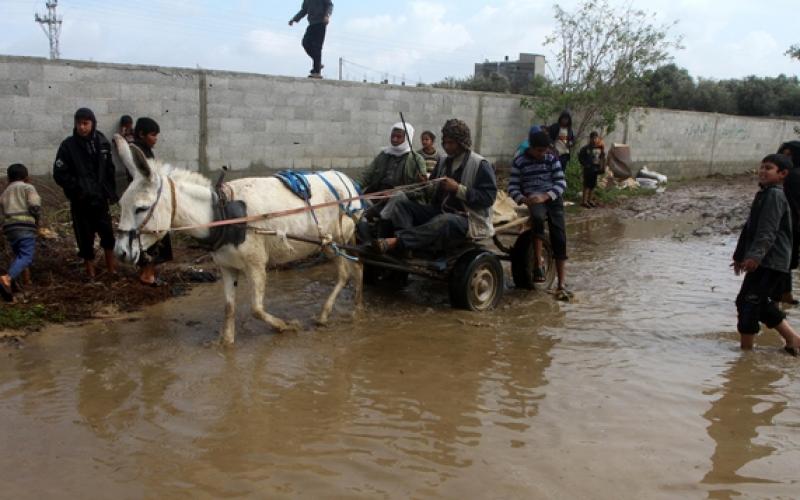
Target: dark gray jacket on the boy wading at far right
[767, 235]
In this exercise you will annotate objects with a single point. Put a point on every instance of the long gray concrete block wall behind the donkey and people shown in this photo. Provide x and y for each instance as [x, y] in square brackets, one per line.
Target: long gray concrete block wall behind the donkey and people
[255, 122]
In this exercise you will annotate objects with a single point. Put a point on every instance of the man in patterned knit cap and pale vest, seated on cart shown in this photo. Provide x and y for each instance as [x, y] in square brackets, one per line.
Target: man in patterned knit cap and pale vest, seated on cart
[461, 204]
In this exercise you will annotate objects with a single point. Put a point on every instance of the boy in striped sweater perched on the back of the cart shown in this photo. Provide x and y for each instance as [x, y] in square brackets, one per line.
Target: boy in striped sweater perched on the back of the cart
[537, 180]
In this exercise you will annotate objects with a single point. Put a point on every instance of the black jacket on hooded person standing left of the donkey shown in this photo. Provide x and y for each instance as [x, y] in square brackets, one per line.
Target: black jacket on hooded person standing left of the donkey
[85, 171]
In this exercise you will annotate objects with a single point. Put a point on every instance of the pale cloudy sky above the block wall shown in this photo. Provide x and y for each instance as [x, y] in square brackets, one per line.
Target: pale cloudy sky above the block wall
[421, 41]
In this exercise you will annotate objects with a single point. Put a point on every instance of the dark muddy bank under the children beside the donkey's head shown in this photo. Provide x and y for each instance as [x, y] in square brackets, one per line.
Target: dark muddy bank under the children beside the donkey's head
[60, 291]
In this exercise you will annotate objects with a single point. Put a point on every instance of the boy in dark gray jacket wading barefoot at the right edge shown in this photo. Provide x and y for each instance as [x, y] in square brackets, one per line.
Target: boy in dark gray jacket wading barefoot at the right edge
[763, 252]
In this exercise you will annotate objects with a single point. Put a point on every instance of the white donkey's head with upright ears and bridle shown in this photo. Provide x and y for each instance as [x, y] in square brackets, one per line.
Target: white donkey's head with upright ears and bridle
[145, 206]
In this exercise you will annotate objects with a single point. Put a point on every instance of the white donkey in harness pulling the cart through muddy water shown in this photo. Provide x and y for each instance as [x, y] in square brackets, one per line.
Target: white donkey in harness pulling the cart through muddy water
[160, 198]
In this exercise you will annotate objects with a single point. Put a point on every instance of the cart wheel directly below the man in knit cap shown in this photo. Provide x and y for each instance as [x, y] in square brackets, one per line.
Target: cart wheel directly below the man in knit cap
[476, 282]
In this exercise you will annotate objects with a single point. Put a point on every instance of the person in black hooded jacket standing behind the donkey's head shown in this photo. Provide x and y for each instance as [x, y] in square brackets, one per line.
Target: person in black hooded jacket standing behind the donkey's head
[84, 170]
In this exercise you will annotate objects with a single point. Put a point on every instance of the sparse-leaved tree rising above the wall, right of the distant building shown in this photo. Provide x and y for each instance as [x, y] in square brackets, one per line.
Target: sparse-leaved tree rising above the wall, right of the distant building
[601, 56]
